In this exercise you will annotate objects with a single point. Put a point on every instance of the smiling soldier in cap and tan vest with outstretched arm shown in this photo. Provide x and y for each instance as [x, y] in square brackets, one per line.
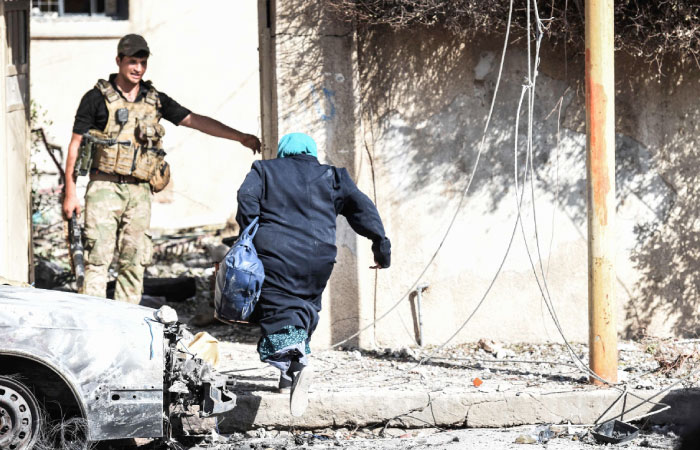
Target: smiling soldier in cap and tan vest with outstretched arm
[123, 112]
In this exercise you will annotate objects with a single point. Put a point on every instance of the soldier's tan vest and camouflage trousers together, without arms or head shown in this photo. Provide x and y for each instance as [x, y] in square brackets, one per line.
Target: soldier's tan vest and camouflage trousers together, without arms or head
[118, 198]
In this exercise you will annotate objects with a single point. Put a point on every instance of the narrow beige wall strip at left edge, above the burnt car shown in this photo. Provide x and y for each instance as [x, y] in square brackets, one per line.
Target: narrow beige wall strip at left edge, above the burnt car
[15, 189]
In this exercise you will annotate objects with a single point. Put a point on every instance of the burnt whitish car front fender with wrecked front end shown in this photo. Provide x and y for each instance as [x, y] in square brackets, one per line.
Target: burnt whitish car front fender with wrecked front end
[118, 361]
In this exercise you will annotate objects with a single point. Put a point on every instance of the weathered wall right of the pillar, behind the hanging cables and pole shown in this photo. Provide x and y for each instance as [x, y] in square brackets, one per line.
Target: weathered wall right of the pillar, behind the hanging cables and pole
[428, 124]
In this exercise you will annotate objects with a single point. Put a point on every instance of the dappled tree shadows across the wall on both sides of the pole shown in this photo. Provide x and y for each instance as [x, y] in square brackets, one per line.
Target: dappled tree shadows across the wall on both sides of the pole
[425, 94]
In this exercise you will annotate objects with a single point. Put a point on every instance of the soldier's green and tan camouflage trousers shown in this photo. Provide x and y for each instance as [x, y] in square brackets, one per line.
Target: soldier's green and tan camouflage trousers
[117, 216]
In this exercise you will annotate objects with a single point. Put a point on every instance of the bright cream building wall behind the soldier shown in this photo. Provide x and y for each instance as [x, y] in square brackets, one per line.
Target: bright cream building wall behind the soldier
[204, 55]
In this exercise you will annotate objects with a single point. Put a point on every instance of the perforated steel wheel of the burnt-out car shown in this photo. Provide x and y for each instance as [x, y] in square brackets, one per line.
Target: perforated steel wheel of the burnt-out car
[20, 420]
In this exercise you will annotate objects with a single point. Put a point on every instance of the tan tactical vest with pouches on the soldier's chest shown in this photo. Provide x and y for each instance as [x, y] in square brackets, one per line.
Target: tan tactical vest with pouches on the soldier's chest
[144, 152]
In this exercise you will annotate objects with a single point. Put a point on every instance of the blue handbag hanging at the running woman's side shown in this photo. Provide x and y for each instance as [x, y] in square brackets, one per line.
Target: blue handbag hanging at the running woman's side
[240, 278]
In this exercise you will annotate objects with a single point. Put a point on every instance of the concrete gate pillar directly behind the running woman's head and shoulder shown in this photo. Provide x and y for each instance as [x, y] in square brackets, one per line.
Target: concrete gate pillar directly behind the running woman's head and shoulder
[313, 88]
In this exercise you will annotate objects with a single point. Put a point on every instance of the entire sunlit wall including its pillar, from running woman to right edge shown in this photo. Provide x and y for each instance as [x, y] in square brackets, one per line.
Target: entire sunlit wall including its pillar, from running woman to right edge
[407, 120]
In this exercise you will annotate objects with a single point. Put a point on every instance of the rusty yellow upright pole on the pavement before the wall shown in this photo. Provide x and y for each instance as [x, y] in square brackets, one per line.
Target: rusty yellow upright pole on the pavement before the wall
[600, 162]
